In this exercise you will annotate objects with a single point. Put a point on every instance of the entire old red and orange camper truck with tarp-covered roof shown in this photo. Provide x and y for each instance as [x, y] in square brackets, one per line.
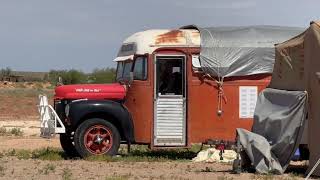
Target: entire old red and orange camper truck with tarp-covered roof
[165, 94]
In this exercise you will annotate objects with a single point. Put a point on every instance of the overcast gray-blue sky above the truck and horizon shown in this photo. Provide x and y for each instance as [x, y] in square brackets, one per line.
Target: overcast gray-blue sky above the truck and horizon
[39, 35]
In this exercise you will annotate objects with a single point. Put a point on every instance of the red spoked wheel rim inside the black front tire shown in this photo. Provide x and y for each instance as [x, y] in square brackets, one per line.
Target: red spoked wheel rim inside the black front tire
[98, 139]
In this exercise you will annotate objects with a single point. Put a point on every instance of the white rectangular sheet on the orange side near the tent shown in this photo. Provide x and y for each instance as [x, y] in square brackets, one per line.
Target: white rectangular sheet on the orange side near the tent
[247, 101]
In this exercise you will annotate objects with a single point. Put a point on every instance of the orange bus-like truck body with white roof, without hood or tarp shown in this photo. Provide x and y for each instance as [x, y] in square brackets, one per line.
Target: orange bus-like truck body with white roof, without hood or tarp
[171, 101]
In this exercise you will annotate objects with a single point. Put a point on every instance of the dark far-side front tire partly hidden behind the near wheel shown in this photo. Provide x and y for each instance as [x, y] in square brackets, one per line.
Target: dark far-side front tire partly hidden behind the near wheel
[67, 145]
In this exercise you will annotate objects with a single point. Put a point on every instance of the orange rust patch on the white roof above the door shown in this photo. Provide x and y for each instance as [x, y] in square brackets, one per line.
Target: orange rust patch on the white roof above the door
[174, 36]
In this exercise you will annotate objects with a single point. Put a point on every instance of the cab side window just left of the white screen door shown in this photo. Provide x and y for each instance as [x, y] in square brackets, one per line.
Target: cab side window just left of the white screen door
[140, 68]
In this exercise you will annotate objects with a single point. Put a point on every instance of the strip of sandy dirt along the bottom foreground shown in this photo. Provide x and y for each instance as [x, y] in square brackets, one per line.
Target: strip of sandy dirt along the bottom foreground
[80, 169]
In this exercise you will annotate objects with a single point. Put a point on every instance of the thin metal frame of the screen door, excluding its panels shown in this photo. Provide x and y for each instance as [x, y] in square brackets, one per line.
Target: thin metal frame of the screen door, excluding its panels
[184, 138]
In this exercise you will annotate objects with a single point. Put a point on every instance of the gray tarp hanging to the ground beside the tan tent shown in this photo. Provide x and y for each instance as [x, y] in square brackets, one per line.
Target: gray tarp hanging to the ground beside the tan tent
[277, 129]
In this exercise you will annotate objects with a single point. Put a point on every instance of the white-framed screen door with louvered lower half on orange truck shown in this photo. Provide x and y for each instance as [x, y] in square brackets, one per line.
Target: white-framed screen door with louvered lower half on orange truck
[170, 101]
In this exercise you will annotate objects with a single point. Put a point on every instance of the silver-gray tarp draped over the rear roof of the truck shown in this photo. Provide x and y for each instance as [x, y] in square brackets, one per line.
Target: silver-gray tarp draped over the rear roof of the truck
[240, 51]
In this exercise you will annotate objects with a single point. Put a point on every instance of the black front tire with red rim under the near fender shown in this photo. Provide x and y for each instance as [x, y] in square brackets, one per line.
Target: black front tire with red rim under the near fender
[97, 137]
